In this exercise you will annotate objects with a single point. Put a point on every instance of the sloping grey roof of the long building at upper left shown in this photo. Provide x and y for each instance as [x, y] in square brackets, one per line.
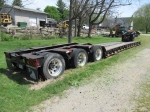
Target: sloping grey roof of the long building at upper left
[26, 9]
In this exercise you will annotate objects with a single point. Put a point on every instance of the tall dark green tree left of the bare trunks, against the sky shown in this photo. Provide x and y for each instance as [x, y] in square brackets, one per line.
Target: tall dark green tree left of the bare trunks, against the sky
[61, 7]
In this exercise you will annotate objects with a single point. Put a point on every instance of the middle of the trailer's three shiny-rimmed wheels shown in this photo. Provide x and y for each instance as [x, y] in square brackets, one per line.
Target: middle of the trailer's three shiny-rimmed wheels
[79, 58]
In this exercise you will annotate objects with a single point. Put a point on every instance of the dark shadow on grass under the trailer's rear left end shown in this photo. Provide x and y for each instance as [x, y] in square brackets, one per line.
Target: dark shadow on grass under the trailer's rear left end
[16, 75]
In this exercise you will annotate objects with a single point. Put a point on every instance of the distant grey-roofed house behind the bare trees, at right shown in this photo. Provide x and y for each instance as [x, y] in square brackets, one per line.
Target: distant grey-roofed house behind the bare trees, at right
[124, 21]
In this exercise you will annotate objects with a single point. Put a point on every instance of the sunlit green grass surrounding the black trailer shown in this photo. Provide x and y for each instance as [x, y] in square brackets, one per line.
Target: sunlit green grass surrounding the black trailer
[15, 94]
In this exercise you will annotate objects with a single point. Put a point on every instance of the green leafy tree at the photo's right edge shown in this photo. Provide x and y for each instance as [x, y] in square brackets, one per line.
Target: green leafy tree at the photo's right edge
[142, 15]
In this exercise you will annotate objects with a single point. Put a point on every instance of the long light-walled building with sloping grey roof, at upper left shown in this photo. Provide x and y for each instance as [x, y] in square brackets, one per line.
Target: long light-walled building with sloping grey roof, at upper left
[30, 16]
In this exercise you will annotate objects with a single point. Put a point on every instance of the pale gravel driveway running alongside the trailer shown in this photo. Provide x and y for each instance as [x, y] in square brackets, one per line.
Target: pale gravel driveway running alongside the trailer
[115, 91]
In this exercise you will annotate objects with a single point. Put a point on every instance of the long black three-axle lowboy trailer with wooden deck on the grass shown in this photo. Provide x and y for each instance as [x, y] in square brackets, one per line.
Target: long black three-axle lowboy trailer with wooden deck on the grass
[51, 61]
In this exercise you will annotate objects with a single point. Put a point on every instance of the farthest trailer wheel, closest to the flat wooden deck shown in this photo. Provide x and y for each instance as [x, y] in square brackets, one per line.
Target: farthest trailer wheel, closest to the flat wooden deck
[97, 53]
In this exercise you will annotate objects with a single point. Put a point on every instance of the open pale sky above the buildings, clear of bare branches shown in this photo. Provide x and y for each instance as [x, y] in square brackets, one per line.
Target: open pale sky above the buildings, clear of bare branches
[124, 11]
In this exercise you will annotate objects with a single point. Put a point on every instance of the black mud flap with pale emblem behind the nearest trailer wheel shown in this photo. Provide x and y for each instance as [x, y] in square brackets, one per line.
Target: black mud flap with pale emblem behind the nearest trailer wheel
[32, 73]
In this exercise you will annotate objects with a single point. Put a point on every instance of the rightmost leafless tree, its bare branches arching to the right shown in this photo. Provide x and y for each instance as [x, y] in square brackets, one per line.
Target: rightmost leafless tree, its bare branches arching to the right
[100, 10]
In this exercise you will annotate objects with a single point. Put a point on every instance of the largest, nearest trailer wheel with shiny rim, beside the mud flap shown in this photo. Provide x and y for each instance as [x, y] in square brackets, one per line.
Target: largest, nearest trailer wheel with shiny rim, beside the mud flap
[53, 66]
